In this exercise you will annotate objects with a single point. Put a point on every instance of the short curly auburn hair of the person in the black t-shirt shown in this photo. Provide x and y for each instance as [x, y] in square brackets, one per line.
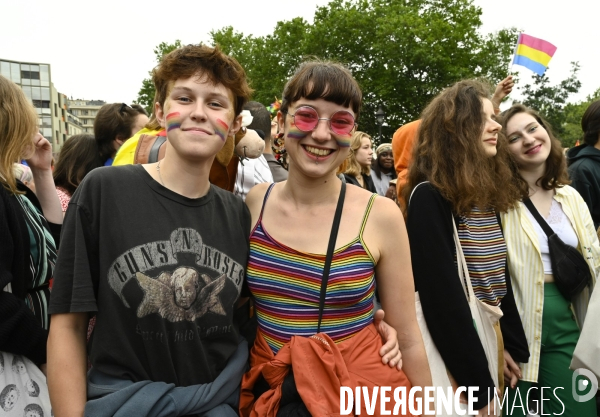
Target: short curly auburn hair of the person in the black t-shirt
[190, 60]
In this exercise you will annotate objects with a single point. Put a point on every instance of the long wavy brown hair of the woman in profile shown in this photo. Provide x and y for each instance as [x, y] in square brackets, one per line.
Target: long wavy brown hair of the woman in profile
[448, 153]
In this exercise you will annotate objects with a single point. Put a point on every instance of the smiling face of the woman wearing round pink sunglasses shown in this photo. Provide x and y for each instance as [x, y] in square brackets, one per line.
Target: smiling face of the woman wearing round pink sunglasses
[320, 151]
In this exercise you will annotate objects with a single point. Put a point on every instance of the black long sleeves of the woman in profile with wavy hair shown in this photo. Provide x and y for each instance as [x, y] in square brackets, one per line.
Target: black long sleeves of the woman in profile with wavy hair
[445, 306]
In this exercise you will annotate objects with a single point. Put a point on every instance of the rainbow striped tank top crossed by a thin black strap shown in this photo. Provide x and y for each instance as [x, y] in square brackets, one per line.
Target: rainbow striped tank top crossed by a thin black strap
[286, 285]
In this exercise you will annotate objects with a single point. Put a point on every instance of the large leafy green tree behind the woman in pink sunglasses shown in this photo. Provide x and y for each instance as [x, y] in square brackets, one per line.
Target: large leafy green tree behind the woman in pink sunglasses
[401, 52]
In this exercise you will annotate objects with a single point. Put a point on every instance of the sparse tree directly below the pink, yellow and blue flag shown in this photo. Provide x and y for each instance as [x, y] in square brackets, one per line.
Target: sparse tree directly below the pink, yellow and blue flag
[550, 101]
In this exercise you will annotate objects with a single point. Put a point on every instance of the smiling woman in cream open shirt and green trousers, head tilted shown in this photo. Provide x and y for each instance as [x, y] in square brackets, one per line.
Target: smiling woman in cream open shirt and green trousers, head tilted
[552, 321]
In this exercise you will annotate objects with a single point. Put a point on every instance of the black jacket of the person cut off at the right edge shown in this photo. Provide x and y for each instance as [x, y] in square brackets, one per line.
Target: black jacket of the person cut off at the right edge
[584, 170]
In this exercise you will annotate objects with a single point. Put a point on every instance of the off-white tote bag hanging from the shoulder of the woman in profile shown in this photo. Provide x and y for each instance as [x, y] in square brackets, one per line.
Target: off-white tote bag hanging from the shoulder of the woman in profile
[485, 318]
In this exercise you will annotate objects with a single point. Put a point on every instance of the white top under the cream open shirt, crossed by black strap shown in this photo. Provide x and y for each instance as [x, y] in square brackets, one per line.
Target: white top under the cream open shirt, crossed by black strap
[561, 225]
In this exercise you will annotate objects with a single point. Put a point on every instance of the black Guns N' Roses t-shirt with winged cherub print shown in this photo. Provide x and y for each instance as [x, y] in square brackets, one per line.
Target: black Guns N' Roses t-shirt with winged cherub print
[162, 271]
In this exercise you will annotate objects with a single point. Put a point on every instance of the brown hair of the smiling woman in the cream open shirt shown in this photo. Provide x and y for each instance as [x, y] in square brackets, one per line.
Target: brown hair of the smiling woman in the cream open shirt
[556, 174]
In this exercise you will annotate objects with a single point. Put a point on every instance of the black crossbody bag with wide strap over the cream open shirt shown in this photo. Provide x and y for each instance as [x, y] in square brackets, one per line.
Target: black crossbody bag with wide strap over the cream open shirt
[570, 270]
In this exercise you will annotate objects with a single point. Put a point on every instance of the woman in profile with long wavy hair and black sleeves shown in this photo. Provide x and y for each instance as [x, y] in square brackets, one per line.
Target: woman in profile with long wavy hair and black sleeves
[463, 167]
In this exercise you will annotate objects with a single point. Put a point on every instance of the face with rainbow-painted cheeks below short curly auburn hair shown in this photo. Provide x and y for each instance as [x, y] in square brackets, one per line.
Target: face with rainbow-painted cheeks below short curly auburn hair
[198, 116]
